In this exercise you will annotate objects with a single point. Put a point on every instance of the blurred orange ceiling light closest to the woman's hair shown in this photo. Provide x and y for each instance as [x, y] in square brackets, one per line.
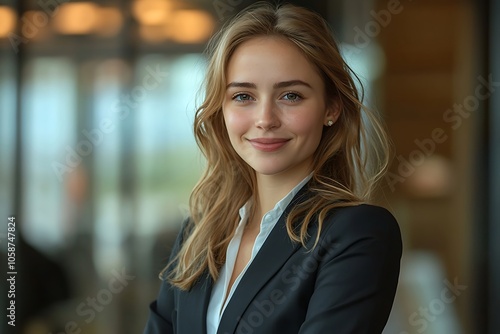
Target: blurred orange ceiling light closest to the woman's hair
[191, 26]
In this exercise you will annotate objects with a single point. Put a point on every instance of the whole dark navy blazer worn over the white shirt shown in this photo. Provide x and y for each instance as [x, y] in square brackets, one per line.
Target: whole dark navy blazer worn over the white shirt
[345, 285]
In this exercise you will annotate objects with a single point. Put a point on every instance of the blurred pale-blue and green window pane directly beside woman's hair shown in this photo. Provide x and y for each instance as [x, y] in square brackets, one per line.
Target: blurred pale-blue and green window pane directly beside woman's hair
[167, 158]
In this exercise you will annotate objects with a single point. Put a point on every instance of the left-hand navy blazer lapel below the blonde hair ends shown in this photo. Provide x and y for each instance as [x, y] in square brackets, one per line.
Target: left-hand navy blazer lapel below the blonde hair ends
[194, 303]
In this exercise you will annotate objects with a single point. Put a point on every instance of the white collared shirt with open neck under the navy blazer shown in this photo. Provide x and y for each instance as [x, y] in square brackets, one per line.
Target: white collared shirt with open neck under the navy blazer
[269, 220]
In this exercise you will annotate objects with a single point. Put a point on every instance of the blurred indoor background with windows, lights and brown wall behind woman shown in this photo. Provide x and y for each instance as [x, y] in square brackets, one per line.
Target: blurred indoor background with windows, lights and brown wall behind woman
[97, 156]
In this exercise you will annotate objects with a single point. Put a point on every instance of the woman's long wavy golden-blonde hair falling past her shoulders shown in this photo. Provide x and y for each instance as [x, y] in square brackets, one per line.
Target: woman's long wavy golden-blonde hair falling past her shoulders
[348, 162]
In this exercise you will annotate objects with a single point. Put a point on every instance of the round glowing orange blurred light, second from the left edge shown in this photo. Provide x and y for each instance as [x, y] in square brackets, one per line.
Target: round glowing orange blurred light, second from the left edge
[76, 18]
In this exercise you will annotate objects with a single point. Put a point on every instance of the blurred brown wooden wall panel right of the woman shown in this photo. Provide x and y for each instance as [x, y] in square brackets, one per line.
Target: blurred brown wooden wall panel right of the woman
[430, 52]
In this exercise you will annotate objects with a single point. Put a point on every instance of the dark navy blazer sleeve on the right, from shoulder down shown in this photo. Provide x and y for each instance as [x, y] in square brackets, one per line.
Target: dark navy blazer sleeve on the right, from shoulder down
[357, 278]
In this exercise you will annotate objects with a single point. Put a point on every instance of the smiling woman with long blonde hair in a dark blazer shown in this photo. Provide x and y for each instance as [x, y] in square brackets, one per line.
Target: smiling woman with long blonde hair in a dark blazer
[280, 238]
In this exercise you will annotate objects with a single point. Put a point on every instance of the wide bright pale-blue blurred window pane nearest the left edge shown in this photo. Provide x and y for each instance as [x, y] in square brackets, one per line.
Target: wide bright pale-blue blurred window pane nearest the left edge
[49, 109]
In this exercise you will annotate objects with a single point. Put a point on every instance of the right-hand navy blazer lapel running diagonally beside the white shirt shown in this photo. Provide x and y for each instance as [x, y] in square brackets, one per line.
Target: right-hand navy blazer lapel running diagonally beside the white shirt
[274, 252]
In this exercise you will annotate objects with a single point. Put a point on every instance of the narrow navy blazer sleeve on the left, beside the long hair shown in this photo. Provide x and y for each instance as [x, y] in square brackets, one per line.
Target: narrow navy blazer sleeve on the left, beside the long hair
[162, 310]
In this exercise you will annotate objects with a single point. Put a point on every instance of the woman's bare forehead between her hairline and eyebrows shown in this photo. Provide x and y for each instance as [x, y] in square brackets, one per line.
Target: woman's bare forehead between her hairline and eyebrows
[270, 58]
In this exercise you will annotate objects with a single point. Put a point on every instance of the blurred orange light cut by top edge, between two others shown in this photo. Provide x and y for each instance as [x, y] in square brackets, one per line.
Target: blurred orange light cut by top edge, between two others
[152, 12]
